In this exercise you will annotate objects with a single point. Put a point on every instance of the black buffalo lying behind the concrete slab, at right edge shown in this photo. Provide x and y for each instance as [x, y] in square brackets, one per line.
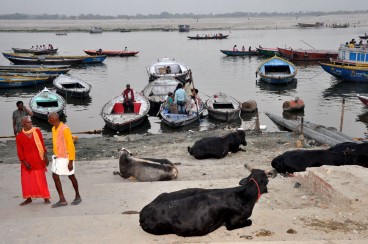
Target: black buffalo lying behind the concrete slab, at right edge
[347, 153]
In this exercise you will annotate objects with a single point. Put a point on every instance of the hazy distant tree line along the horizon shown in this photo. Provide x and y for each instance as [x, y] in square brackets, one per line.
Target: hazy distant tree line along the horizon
[166, 15]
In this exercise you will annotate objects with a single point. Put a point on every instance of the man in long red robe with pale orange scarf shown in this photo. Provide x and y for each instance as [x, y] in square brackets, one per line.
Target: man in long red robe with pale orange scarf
[32, 155]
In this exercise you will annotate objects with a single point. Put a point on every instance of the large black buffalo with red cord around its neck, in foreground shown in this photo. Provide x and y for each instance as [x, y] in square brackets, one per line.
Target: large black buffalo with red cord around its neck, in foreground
[197, 212]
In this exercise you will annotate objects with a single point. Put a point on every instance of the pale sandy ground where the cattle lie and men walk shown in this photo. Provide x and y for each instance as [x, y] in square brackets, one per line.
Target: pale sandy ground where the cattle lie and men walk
[110, 207]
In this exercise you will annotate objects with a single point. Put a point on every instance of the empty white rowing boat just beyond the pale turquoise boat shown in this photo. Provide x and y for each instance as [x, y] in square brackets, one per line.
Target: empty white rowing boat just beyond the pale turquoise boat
[72, 87]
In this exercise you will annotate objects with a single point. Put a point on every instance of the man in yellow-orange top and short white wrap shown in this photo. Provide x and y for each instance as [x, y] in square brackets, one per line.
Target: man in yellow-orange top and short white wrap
[63, 159]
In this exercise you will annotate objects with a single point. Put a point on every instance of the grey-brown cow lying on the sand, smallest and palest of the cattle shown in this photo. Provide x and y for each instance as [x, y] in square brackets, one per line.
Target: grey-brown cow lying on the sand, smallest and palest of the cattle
[146, 169]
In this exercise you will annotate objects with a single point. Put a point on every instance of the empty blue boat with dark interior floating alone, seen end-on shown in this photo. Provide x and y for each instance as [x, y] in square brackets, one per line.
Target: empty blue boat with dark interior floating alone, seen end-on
[277, 70]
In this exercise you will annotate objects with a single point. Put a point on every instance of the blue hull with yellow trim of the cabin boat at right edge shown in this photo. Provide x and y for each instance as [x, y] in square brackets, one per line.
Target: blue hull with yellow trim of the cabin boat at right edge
[346, 71]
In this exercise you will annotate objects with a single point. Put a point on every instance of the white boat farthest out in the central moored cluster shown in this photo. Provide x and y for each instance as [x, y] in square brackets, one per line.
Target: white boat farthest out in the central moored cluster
[158, 69]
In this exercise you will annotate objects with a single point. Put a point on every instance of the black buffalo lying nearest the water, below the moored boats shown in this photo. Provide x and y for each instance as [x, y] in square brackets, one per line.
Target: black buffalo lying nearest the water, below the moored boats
[218, 147]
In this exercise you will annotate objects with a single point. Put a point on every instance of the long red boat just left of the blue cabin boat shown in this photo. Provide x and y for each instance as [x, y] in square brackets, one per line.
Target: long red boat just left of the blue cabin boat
[307, 55]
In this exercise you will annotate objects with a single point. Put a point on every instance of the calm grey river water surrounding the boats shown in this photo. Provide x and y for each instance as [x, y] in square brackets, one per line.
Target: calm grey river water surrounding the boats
[212, 72]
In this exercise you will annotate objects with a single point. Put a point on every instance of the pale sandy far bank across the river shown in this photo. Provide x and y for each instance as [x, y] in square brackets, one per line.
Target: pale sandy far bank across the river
[116, 25]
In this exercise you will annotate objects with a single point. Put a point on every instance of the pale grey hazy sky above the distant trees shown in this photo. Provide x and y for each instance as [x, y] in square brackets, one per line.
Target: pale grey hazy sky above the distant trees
[133, 7]
